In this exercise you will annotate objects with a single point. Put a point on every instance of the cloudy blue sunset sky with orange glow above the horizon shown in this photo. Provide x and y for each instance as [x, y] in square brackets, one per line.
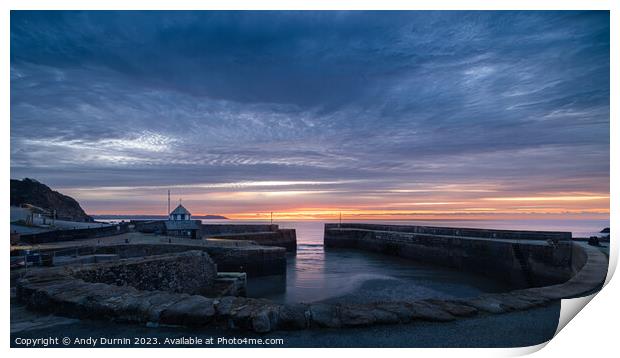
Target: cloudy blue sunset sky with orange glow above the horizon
[378, 115]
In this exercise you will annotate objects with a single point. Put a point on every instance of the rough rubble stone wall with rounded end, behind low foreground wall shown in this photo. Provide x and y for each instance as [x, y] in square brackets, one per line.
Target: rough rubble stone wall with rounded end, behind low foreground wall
[190, 272]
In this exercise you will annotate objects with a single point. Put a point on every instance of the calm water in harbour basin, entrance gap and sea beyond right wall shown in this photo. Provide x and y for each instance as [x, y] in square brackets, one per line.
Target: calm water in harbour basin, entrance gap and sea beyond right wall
[318, 274]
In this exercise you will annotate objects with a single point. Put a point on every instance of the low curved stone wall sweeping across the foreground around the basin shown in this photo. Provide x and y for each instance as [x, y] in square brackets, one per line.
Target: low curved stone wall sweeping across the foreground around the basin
[59, 292]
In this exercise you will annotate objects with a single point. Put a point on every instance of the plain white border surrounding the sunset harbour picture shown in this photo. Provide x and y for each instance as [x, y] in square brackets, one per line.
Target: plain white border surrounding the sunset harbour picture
[591, 334]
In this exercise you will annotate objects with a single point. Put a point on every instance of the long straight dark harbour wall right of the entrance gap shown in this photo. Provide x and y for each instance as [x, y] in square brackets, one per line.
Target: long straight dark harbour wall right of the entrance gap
[520, 258]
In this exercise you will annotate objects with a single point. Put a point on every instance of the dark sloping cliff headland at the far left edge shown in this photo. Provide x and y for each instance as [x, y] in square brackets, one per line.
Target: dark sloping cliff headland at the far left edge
[30, 191]
